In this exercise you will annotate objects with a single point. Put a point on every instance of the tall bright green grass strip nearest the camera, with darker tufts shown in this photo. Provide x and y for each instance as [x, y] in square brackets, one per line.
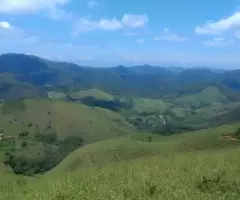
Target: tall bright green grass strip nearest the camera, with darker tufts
[192, 175]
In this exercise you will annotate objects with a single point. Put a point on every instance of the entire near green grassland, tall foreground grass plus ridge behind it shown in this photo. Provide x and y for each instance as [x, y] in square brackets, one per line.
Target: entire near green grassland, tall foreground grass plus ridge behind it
[197, 165]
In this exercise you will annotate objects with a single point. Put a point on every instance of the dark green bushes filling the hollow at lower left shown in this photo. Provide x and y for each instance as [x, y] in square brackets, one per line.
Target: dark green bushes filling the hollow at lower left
[39, 158]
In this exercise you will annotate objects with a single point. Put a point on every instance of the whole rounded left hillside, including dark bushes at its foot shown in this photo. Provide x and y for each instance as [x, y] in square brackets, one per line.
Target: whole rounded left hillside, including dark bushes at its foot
[36, 134]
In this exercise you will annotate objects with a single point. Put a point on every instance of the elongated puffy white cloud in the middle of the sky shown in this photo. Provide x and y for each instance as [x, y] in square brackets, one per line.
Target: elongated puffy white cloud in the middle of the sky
[128, 21]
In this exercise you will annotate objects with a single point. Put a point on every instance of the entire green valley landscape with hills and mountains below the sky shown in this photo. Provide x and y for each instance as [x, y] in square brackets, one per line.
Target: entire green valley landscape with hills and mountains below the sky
[143, 132]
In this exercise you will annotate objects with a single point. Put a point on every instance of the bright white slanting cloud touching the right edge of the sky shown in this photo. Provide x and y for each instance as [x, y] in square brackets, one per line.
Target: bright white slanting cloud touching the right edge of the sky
[220, 26]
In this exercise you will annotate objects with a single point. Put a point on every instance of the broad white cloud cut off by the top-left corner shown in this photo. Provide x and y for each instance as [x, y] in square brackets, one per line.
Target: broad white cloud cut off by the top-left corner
[29, 6]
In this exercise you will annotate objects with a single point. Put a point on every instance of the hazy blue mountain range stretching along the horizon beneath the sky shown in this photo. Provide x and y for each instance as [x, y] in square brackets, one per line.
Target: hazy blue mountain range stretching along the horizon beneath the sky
[39, 75]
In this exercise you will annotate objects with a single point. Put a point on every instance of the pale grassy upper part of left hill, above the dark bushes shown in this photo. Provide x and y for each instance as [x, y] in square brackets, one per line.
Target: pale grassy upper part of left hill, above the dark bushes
[93, 124]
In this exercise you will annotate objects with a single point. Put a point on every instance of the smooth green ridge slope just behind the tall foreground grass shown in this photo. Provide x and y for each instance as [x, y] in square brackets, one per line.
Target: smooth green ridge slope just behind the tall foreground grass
[137, 146]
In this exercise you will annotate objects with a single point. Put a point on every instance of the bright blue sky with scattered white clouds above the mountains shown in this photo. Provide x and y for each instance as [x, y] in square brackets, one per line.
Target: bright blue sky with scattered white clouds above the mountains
[128, 32]
